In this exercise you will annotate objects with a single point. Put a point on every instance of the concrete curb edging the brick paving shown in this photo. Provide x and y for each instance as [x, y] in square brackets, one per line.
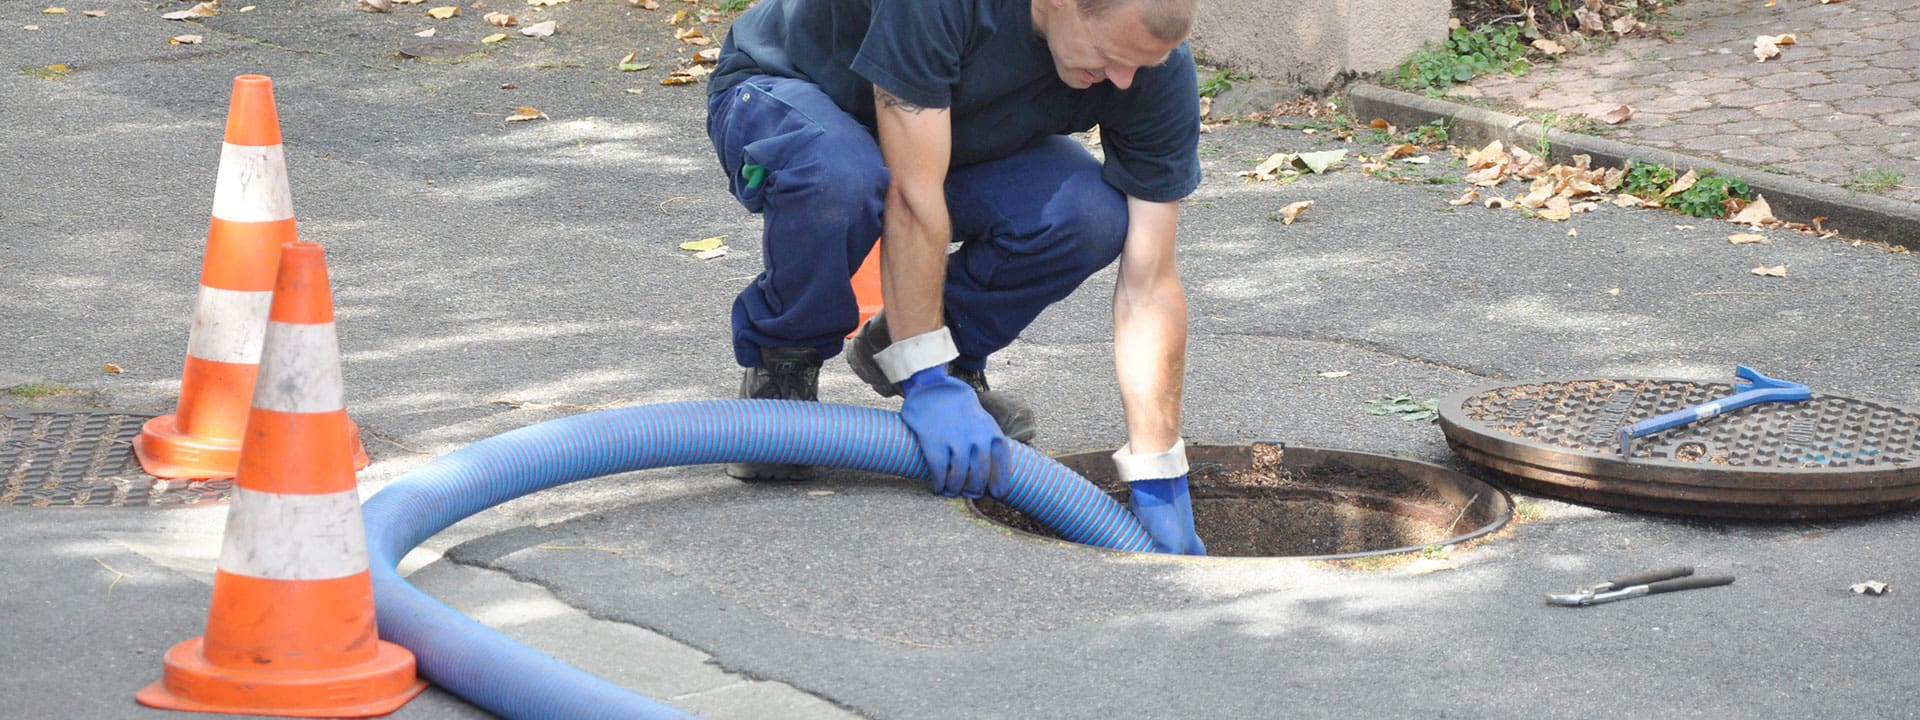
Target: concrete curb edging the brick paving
[1852, 214]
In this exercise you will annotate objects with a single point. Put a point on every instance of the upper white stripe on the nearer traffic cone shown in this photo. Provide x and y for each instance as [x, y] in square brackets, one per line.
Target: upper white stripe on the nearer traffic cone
[300, 370]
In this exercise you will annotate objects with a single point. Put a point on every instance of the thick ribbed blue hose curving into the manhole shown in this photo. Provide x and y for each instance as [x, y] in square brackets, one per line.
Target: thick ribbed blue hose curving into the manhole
[517, 683]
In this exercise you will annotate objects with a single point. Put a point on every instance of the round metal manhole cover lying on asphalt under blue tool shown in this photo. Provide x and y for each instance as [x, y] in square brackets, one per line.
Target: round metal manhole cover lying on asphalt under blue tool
[1812, 460]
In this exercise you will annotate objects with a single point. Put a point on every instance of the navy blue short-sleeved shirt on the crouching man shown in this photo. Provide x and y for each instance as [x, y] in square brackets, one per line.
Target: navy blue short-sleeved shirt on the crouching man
[984, 62]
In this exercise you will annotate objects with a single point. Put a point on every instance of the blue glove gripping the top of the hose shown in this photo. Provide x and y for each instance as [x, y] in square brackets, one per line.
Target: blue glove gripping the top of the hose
[963, 446]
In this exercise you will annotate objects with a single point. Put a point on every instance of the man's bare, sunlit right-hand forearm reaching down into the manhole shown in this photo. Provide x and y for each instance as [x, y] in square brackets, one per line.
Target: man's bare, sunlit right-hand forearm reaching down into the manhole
[1151, 329]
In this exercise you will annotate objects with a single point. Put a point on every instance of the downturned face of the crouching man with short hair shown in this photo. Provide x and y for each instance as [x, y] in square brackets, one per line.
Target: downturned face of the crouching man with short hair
[1103, 49]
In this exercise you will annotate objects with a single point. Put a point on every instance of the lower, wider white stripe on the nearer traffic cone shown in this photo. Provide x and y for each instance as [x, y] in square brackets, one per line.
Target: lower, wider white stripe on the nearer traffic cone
[279, 537]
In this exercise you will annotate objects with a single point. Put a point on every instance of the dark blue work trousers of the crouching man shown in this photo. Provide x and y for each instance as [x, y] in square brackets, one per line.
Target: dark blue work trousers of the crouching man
[1032, 228]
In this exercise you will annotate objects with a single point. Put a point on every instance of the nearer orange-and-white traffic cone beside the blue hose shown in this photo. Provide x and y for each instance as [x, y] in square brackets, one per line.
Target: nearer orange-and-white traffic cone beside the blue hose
[293, 629]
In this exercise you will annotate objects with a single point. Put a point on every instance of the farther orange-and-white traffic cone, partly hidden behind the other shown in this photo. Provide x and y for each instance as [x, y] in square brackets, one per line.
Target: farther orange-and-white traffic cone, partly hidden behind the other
[252, 220]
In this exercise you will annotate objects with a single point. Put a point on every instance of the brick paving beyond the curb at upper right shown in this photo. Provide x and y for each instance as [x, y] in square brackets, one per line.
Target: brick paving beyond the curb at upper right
[1840, 103]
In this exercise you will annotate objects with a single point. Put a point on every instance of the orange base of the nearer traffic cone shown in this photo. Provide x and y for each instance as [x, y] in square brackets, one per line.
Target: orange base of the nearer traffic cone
[368, 690]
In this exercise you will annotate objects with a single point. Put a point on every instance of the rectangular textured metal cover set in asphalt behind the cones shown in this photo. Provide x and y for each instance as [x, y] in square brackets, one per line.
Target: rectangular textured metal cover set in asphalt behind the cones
[85, 460]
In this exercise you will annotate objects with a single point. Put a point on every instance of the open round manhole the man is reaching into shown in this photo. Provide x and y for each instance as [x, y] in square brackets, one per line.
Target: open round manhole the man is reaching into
[1307, 502]
